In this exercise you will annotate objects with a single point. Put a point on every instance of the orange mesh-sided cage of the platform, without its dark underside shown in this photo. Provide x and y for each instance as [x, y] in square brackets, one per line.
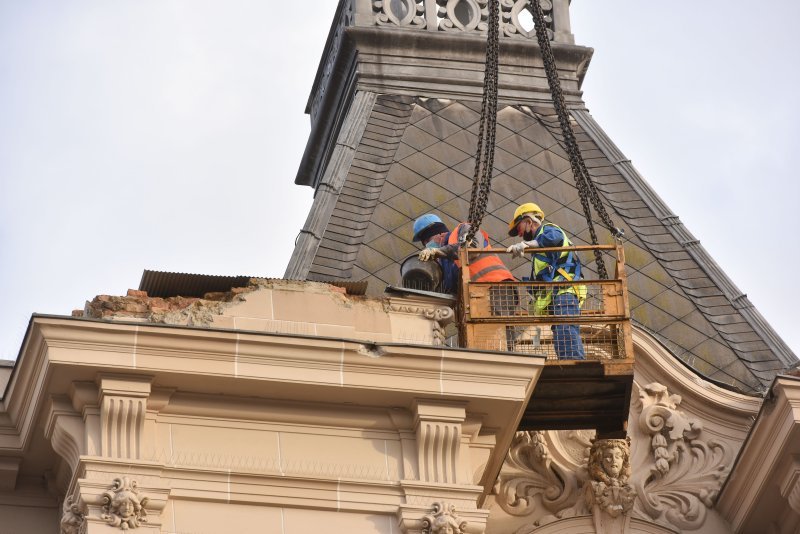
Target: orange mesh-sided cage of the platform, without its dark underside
[566, 320]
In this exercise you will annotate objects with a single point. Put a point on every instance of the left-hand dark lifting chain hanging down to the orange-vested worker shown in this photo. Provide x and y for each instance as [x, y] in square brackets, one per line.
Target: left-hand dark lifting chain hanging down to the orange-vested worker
[484, 156]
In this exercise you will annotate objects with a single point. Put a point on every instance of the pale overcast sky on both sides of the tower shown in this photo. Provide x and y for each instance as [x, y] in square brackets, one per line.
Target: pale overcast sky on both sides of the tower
[166, 135]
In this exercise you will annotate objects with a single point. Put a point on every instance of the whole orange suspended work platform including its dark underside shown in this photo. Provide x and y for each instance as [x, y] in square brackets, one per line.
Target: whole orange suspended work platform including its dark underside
[522, 317]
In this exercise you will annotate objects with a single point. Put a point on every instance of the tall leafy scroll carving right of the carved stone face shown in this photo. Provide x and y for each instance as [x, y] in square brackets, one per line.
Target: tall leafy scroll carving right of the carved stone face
[685, 473]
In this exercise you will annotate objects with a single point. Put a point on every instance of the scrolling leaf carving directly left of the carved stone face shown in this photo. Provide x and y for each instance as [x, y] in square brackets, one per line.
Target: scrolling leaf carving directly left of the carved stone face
[530, 471]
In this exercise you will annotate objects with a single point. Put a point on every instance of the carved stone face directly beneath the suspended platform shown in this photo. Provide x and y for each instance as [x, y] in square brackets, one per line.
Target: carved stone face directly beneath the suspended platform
[609, 470]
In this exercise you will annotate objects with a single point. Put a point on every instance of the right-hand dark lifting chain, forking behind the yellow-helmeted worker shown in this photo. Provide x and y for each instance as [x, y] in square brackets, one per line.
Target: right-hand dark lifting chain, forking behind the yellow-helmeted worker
[586, 188]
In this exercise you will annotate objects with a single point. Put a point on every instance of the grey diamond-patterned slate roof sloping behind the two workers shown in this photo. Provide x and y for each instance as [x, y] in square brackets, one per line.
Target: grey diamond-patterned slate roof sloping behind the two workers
[416, 156]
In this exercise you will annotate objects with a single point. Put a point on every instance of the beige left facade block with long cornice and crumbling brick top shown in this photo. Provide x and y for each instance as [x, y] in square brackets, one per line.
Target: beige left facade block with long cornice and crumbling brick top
[281, 406]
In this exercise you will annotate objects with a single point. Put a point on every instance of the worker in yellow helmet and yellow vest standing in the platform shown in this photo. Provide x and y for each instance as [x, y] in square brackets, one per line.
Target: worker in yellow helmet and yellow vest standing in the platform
[528, 223]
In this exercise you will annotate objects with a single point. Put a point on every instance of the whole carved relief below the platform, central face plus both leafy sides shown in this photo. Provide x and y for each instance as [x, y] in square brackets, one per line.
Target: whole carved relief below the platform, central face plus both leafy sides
[670, 475]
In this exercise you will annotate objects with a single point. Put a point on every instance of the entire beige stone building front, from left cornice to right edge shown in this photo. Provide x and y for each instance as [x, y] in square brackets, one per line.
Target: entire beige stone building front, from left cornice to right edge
[254, 423]
